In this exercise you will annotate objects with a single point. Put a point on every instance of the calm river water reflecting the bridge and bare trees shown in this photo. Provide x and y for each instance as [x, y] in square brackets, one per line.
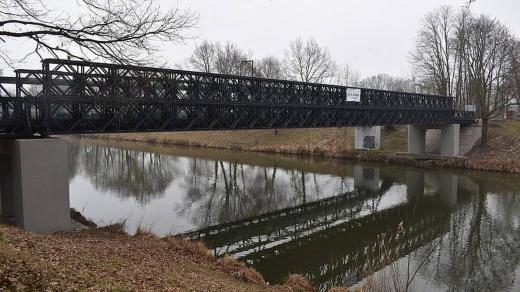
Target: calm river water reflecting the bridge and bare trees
[319, 218]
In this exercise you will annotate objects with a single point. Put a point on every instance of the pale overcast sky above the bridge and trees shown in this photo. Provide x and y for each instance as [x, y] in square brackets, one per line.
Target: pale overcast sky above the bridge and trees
[373, 36]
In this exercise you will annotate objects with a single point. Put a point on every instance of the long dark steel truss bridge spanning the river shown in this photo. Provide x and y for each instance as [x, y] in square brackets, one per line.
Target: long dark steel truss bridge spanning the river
[83, 97]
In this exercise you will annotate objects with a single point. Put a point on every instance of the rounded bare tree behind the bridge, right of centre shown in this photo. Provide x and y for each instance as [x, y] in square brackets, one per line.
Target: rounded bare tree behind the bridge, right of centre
[308, 62]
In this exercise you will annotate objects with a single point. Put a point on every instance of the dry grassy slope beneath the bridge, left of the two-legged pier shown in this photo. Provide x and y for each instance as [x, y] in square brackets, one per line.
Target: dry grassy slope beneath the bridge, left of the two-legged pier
[290, 141]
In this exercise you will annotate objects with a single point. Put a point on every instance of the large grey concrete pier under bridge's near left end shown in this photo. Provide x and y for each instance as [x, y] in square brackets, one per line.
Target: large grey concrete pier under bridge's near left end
[34, 180]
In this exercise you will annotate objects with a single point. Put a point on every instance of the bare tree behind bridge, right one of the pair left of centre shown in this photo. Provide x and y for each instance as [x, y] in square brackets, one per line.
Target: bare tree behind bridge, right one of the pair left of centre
[228, 59]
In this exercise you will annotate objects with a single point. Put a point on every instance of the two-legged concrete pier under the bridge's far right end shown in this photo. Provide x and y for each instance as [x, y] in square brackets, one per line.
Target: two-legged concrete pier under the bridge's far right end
[450, 135]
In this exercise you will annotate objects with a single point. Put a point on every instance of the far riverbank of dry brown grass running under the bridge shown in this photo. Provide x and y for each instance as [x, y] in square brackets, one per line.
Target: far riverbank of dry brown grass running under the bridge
[501, 155]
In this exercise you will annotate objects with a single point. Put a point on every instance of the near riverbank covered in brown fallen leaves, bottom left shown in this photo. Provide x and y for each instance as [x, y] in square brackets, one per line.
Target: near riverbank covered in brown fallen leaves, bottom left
[108, 259]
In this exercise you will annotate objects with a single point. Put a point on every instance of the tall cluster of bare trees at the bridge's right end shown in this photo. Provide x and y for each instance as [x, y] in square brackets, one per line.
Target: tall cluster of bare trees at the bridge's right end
[473, 58]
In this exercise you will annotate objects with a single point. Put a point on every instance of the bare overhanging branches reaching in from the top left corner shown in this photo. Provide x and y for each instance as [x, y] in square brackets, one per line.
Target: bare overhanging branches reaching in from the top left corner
[123, 31]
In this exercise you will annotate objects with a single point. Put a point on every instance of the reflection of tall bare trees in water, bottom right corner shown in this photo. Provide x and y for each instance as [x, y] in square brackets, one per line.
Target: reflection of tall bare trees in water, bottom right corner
[481, 251]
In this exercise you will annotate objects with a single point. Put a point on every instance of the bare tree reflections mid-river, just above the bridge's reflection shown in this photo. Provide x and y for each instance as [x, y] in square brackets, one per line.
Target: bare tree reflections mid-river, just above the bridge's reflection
[221, 191]
